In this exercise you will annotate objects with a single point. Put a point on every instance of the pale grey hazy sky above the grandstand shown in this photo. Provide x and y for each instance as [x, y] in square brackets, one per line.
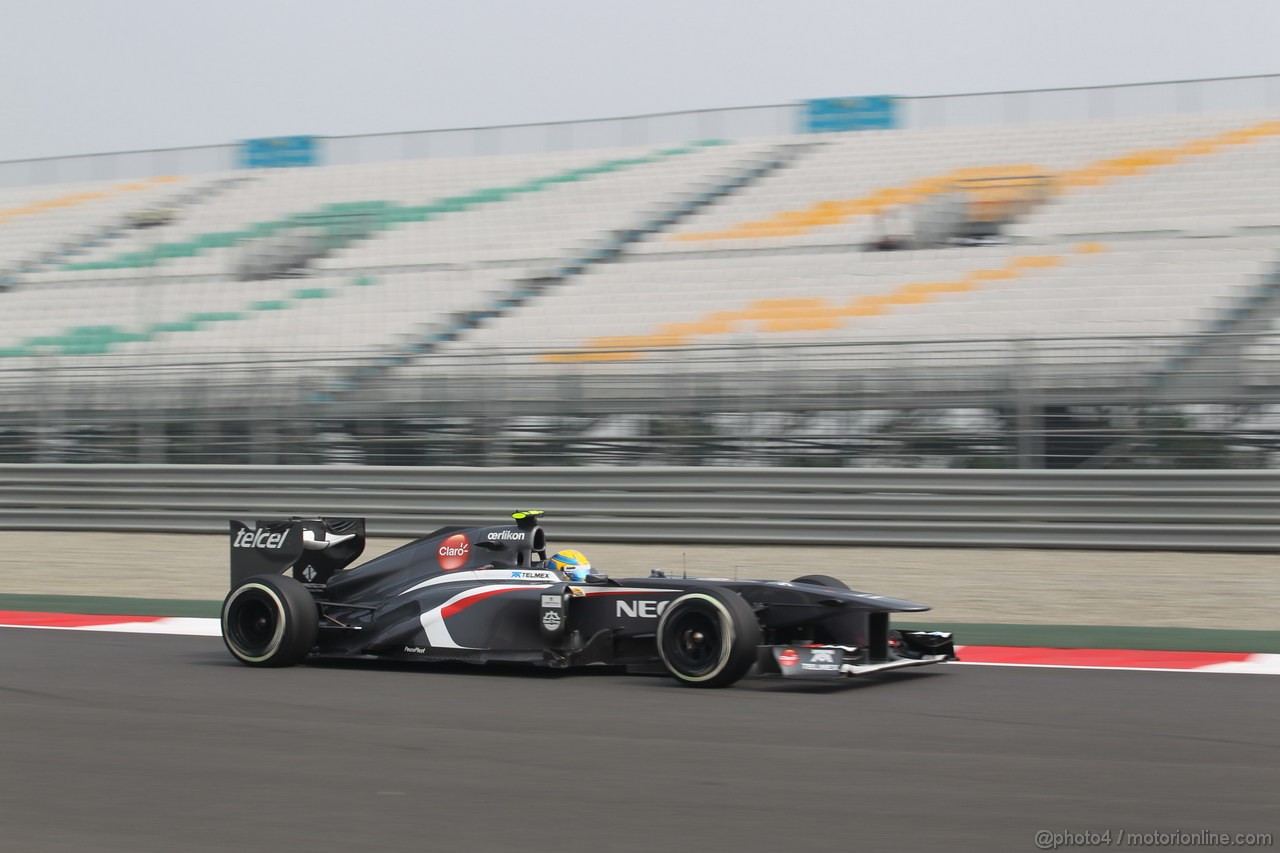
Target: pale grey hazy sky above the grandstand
[90, 76]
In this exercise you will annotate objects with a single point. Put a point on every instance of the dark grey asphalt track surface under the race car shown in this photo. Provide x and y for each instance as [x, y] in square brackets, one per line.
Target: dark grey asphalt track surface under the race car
[139, 743]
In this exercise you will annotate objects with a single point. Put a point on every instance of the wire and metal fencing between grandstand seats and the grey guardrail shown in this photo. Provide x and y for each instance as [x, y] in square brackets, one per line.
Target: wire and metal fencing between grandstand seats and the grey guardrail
[917, 404]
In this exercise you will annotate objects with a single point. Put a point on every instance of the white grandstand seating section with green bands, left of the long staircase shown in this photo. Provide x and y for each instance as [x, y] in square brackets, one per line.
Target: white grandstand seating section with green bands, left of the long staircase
[394, 247]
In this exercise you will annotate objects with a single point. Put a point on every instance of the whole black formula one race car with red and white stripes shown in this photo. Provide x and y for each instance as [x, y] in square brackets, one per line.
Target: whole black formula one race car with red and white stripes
[481, 595]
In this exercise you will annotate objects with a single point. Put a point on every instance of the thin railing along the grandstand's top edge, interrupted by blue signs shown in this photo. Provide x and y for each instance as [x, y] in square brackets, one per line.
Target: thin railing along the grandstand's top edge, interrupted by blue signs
[1075, 104]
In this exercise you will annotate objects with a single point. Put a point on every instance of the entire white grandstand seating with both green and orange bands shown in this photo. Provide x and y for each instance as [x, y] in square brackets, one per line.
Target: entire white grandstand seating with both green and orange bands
[1080, 264]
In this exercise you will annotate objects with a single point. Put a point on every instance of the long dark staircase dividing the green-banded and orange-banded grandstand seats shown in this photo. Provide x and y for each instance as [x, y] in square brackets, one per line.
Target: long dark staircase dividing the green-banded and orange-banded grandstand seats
[578, 262]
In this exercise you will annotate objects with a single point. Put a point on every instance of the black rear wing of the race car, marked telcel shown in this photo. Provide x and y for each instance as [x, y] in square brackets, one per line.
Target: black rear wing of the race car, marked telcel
[314, 549]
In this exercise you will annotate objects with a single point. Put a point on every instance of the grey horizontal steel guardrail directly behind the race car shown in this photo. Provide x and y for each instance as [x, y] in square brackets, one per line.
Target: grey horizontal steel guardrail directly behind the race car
[1132, 510]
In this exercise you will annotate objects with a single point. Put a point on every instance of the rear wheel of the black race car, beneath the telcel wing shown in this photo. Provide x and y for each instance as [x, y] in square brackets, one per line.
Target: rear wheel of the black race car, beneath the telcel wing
[271, 621]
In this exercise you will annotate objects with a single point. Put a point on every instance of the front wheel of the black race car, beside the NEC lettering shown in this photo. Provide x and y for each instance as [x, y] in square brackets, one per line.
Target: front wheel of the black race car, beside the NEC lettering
[708, 638]
